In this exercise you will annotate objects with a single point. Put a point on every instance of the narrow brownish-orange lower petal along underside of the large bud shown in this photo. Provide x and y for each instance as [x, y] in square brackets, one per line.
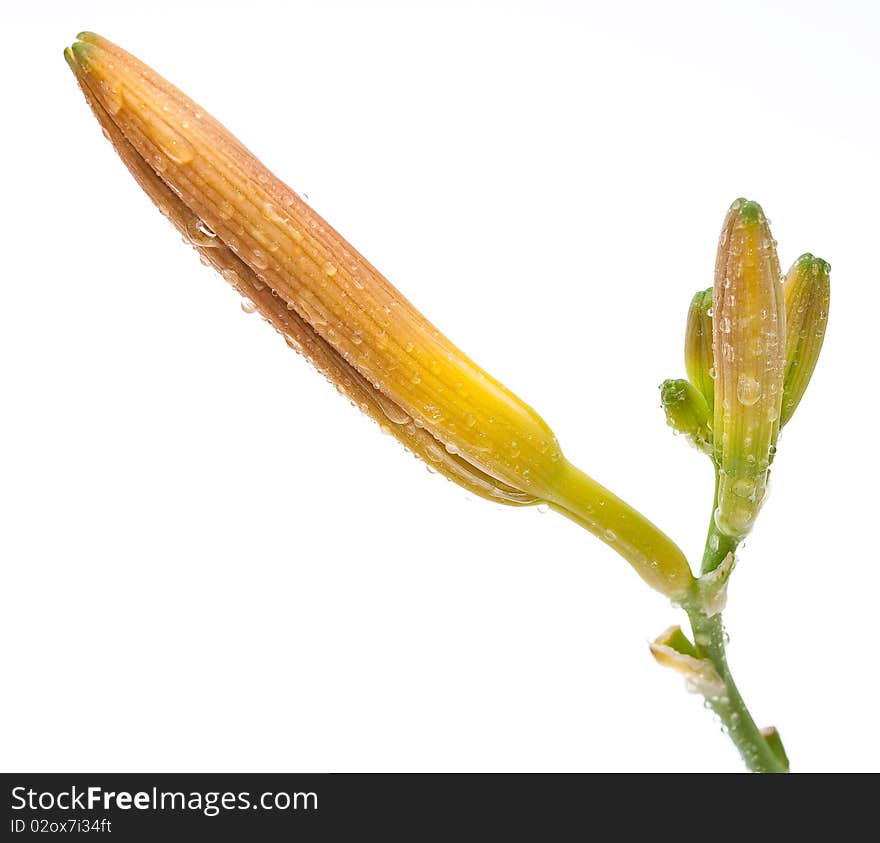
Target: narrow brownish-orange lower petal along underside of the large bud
[297, 333]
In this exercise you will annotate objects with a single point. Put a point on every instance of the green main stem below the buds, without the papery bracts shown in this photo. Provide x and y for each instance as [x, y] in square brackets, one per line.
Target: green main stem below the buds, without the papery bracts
[758, 755]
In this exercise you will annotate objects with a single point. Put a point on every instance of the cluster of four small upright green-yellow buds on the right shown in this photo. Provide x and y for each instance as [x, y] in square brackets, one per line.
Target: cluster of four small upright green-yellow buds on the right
[751, 345]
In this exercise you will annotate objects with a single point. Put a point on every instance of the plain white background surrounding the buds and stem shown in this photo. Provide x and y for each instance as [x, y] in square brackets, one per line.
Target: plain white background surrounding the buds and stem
[211, 562]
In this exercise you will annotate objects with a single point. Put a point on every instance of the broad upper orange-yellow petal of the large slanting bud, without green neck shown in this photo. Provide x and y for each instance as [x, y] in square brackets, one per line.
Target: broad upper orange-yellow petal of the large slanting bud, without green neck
[319, 276]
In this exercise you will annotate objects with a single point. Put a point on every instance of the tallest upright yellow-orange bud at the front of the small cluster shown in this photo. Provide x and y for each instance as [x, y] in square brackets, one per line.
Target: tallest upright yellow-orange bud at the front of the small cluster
[748, 333]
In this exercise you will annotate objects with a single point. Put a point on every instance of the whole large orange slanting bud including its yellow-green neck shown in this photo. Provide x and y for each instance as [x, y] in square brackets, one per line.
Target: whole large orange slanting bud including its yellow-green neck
[331, 304]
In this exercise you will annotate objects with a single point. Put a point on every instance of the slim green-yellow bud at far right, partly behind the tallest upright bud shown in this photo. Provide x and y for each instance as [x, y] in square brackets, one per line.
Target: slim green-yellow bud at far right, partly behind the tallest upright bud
[807, 291]
